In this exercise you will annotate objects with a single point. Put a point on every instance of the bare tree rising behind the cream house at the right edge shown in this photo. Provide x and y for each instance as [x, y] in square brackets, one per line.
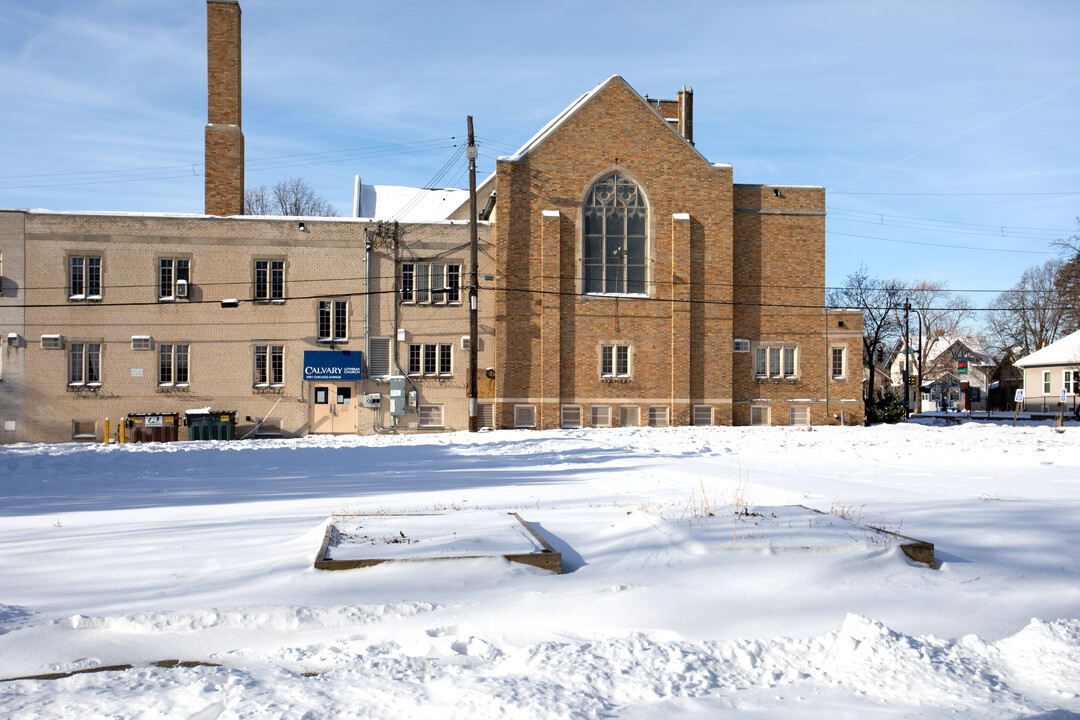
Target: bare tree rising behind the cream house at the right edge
[1031, 315]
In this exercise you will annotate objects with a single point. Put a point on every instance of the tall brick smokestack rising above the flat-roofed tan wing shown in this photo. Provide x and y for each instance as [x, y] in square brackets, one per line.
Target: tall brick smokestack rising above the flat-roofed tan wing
[225, 140]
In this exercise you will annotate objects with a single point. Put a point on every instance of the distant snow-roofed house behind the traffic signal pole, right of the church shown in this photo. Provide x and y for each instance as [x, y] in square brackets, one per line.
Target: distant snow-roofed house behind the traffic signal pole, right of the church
[956, 375]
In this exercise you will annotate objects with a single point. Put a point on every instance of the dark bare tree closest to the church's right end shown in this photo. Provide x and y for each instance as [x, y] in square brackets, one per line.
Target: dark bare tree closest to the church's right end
[879, 300]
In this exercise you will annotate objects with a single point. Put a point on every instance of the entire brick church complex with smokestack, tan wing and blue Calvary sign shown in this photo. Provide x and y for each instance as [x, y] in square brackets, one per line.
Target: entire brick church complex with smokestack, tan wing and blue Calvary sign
[625, 281]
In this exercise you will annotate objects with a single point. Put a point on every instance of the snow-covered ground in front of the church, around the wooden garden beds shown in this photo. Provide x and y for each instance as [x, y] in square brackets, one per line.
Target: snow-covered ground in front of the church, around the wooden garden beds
[204, 552]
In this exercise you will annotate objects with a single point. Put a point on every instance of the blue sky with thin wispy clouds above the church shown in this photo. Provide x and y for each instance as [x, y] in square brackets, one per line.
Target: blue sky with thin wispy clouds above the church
[946, 133]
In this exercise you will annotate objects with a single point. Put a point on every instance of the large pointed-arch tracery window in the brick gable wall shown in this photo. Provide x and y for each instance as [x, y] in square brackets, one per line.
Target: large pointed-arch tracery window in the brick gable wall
[616, 219]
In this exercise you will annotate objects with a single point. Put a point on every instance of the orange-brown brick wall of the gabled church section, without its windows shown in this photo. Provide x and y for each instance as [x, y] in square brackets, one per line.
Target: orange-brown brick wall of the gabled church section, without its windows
[725, 263]
